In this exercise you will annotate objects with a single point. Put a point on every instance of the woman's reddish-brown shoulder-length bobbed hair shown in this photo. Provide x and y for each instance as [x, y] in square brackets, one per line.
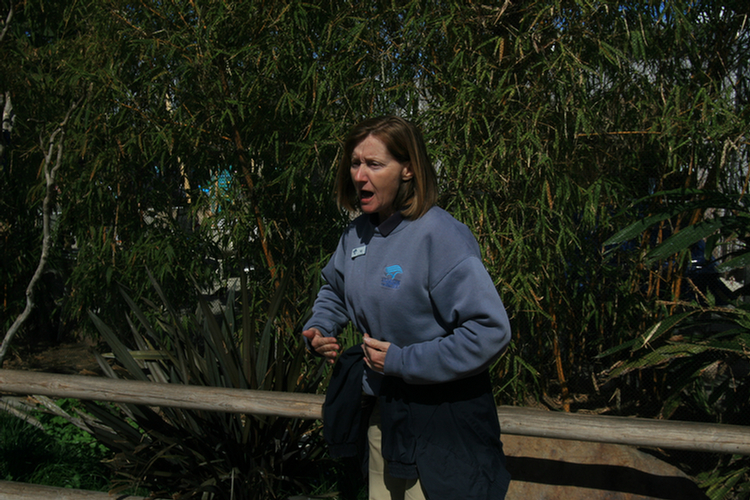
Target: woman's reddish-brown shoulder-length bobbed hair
[405, 143]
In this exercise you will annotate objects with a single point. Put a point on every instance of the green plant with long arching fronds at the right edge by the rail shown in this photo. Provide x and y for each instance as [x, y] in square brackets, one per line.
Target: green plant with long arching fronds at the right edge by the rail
[692, 363]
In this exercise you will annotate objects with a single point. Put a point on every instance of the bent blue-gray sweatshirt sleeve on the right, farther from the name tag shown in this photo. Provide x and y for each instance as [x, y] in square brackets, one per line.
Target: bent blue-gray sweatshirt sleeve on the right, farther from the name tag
[477, 330]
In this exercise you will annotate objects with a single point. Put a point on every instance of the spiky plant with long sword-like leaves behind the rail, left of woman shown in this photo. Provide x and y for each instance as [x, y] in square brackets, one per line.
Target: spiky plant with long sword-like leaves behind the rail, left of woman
[220, 455]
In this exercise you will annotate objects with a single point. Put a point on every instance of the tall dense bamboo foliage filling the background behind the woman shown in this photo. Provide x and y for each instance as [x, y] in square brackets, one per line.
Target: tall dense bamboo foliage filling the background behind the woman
[544, 118]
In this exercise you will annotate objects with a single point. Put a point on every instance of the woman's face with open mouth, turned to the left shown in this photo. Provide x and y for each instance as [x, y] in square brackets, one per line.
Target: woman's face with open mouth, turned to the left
[377, 176]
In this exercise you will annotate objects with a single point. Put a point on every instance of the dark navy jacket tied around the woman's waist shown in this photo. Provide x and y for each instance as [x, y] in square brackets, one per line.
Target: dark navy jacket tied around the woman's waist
[446, 434]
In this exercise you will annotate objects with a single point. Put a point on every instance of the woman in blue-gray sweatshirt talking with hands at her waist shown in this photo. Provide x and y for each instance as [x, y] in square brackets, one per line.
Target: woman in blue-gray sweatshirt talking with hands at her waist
[410, 277]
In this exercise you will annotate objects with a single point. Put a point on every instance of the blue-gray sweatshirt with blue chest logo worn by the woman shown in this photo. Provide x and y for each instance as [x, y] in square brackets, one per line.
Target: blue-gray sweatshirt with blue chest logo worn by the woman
[420, 285]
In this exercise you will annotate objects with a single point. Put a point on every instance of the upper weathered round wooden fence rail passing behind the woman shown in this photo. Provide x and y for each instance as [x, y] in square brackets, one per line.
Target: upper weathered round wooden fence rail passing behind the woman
[513, 420]
